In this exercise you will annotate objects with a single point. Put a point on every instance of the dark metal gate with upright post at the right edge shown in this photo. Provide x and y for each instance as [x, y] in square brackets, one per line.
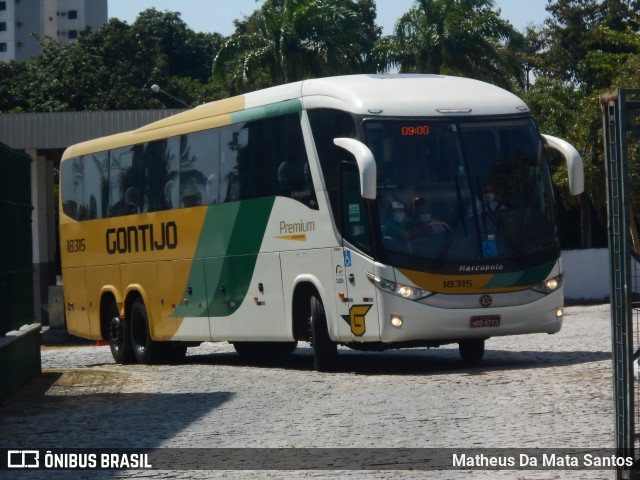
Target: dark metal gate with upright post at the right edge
[621, 129]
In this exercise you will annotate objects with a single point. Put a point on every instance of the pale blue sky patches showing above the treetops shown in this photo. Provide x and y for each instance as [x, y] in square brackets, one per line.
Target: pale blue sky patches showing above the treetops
[218, 15]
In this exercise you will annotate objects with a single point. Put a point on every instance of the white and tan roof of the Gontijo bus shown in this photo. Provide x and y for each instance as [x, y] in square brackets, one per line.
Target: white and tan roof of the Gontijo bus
[385, 95]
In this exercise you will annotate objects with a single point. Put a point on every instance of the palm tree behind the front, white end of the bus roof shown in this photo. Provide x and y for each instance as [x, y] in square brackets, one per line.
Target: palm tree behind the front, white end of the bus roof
[457, 37]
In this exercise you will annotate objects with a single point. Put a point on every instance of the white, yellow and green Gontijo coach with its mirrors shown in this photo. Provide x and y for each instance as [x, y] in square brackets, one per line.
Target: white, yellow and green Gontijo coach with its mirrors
[371, 211]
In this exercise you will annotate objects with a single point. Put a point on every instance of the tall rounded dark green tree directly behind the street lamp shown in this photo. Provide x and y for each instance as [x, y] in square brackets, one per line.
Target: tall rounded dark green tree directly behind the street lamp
[157, 48]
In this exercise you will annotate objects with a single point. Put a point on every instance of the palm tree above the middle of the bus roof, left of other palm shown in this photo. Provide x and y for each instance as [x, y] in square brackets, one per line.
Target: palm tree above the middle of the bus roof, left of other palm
[289, 40]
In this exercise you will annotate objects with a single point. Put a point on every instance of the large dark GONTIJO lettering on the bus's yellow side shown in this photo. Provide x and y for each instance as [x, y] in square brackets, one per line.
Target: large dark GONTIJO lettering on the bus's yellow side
[142, 238]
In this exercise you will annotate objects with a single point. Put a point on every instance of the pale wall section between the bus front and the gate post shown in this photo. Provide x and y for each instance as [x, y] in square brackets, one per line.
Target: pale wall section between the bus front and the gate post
[586, 274]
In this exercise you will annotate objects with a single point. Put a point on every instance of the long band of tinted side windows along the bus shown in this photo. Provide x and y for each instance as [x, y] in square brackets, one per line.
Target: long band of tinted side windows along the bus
[256, 159]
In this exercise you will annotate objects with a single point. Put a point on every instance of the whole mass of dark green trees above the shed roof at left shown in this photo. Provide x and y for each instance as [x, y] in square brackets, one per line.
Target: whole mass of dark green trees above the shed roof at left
[114, 67]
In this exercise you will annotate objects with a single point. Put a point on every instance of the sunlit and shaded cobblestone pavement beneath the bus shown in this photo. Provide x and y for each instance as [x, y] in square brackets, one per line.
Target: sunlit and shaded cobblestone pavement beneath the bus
[547, 391]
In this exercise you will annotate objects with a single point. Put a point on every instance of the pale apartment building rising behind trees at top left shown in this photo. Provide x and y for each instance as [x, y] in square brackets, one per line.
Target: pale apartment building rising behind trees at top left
[59, 19]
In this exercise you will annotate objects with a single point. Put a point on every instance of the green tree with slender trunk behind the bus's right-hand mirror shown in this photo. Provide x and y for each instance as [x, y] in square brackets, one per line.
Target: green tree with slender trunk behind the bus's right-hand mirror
[586, 44]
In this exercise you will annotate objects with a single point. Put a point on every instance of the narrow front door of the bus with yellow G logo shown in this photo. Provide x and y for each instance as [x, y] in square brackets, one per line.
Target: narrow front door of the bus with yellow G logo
[362, 312]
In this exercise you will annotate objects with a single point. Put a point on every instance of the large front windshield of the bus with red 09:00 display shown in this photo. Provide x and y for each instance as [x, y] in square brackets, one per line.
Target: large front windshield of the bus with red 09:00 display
[462, 191]
